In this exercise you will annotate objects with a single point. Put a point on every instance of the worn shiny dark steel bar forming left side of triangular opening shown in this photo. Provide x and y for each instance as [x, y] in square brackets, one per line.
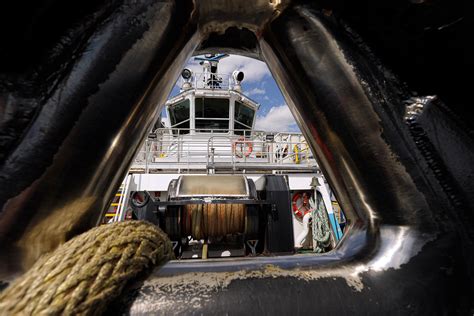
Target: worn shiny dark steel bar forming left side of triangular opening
[91, 118]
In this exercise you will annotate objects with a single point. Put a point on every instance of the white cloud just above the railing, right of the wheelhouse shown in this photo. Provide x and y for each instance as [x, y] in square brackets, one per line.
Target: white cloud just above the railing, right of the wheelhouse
[279, 118]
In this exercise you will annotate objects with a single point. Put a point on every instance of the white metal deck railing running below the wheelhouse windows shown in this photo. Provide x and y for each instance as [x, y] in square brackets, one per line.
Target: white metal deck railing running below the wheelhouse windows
[200, 149]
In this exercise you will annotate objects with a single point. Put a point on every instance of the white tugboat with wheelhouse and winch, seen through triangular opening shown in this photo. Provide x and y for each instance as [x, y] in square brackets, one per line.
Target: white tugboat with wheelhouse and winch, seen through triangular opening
[220, 188]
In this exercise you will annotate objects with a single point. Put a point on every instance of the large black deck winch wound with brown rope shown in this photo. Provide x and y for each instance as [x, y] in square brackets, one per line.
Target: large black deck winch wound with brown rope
[221, 215]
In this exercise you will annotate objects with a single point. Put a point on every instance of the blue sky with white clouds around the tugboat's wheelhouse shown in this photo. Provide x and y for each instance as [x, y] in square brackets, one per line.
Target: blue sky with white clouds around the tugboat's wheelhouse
[259, 85]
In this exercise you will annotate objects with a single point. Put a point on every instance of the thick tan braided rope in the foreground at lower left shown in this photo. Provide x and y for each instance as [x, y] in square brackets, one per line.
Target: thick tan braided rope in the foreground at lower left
[87, 272]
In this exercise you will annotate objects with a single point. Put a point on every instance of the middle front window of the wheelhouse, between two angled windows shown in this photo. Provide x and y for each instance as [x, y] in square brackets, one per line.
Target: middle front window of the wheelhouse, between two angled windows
[212, 114]
